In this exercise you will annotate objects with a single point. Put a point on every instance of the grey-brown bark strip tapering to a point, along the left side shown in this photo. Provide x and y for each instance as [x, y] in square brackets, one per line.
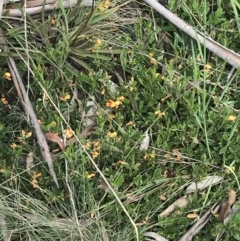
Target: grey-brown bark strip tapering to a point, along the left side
[44, 149]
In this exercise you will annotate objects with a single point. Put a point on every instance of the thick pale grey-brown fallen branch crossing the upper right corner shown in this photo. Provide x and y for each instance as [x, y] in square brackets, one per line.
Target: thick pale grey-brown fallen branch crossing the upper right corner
[224, 53]
